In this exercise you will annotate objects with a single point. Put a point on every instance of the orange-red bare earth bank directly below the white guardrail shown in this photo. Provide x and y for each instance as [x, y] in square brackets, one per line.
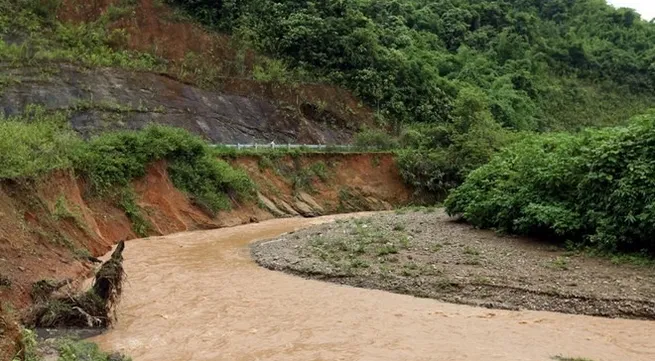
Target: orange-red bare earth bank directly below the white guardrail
[355, 182]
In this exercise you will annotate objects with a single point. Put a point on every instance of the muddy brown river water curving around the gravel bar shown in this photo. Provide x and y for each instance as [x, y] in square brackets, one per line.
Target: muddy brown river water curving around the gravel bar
[199, 296]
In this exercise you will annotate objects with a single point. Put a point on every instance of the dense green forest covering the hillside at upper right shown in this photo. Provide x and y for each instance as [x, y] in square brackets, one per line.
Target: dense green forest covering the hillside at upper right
[537, 63]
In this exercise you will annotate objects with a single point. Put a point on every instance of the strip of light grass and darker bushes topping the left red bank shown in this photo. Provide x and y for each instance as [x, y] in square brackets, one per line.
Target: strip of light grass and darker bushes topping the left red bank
[38, 141]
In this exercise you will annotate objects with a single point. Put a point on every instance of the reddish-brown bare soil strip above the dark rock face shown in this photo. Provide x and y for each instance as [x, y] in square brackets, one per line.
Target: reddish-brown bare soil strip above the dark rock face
[153, 28]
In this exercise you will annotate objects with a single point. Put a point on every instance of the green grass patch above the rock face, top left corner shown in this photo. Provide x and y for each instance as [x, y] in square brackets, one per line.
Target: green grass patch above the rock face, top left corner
[45, 39]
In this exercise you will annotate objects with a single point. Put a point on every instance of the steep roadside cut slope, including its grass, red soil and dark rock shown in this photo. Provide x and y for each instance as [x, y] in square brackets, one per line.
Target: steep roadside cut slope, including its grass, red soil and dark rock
[124, 64]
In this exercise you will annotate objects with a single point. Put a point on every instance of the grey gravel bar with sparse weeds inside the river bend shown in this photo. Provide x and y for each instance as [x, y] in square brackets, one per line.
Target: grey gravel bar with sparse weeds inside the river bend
[426, 254]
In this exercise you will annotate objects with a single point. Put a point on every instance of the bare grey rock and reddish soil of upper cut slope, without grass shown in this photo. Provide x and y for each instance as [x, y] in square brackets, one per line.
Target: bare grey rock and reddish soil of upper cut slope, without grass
[207, 86]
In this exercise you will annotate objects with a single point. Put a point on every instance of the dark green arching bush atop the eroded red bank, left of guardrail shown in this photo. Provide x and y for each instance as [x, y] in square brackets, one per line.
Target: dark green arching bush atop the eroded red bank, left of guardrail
[114, 159]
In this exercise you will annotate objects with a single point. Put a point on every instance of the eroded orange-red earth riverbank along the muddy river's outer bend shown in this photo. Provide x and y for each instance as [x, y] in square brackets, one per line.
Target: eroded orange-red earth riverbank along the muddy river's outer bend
[49, 226]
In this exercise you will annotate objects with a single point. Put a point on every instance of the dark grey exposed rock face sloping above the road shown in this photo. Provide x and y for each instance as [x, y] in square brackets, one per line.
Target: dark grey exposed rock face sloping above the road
[113, 99]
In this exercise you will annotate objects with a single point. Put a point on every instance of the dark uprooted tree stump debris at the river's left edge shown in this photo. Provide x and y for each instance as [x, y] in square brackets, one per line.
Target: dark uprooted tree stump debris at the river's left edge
[92, 308]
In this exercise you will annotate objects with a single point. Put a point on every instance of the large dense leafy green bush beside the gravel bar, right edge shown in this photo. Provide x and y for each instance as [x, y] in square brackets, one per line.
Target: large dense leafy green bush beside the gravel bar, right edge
[596, 188]
